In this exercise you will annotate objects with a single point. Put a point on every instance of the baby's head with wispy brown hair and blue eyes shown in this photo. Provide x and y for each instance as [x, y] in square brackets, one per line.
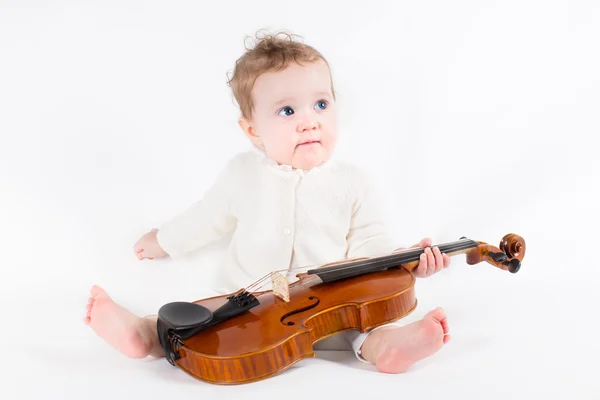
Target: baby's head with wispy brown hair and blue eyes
[285, 93]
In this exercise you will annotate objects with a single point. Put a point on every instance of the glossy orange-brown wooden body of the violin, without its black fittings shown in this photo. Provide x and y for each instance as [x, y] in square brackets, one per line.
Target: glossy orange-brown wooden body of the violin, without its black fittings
[276, 334]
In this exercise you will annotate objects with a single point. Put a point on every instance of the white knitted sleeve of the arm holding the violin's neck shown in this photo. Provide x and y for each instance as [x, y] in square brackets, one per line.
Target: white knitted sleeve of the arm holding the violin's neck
[368, 235]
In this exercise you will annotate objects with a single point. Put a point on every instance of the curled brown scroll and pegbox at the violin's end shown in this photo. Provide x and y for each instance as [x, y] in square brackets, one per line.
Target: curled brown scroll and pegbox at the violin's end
[507, 257]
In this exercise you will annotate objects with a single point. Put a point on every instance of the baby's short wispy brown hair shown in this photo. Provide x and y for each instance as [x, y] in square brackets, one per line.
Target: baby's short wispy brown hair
[270, 53]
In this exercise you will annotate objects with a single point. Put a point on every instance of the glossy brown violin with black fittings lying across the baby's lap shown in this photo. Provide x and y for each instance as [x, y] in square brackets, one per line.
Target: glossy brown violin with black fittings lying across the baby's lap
[252, 334]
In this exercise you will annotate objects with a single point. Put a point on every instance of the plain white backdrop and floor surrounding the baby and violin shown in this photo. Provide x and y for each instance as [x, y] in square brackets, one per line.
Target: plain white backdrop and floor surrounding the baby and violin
[478, 118]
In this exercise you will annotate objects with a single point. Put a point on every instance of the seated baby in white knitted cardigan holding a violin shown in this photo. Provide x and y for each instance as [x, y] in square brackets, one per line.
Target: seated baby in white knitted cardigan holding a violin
[288, 204]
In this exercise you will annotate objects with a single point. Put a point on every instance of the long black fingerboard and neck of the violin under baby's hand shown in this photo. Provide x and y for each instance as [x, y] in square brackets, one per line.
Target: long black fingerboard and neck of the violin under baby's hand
[408, 258]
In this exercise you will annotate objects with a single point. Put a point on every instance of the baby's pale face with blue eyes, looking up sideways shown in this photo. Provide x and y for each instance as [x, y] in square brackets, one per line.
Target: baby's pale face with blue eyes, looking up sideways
[294, 118]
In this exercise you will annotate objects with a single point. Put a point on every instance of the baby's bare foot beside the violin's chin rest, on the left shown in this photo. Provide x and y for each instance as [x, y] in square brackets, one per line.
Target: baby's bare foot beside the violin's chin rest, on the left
[133, 336]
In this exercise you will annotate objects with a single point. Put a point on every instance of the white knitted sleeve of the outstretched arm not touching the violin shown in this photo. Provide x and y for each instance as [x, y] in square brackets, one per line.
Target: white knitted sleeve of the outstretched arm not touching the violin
[205, 221]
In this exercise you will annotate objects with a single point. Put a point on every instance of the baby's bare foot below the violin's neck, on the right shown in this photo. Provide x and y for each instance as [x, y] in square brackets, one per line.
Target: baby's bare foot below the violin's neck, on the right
[395, 349]
